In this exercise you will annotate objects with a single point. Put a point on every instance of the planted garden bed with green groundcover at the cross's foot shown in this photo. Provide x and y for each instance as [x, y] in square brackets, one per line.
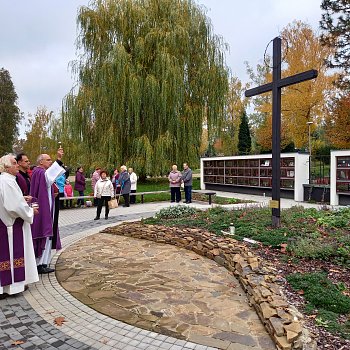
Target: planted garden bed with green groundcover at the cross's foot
[309, 241]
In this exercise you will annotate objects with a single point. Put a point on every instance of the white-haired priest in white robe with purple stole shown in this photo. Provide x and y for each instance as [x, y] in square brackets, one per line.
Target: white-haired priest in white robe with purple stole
[17, 259]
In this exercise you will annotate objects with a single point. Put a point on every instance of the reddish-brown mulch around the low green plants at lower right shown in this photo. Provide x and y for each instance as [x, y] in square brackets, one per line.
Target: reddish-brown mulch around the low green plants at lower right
[326, 340]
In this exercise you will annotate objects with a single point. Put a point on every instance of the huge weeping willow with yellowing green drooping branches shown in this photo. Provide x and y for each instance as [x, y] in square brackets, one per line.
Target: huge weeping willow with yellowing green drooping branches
[150, 74]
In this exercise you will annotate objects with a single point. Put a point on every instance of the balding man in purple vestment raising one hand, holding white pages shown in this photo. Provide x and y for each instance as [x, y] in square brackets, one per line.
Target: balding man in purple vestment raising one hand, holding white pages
[44, 229]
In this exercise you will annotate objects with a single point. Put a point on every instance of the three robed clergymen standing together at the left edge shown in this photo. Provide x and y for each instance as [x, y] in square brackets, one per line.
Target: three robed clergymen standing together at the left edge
[28, 219]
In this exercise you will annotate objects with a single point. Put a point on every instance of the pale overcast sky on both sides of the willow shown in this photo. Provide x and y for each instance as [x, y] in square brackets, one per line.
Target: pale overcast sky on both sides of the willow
[37, 40]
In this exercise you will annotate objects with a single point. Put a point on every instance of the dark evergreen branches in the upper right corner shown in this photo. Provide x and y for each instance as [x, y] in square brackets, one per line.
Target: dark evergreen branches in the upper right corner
[336, 25]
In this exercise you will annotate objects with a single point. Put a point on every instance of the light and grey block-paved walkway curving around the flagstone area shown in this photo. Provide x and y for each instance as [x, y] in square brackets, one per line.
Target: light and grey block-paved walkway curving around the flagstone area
[26, 320]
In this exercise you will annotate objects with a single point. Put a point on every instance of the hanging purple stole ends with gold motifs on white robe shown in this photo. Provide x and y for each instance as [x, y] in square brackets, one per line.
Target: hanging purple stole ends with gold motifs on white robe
[18, 254]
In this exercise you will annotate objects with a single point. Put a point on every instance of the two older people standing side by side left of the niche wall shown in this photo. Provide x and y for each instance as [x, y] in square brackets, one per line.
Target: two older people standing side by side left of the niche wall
[177, 179]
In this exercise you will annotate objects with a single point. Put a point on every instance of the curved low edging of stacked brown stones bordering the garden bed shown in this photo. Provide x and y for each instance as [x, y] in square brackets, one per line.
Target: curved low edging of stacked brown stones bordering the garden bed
[282, 321]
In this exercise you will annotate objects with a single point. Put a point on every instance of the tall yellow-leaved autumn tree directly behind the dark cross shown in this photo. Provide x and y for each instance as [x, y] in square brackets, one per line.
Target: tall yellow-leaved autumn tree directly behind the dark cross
[303, 102]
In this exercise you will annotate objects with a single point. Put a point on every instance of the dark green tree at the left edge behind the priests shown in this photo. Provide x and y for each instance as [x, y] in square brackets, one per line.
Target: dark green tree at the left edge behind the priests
[9, 113]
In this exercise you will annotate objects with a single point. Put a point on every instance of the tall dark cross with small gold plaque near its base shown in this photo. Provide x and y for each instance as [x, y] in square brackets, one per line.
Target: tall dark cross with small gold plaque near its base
[275, 86]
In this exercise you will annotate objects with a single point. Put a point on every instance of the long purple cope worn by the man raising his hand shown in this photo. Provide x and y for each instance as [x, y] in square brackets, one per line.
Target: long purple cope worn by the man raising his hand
[42, 226]
